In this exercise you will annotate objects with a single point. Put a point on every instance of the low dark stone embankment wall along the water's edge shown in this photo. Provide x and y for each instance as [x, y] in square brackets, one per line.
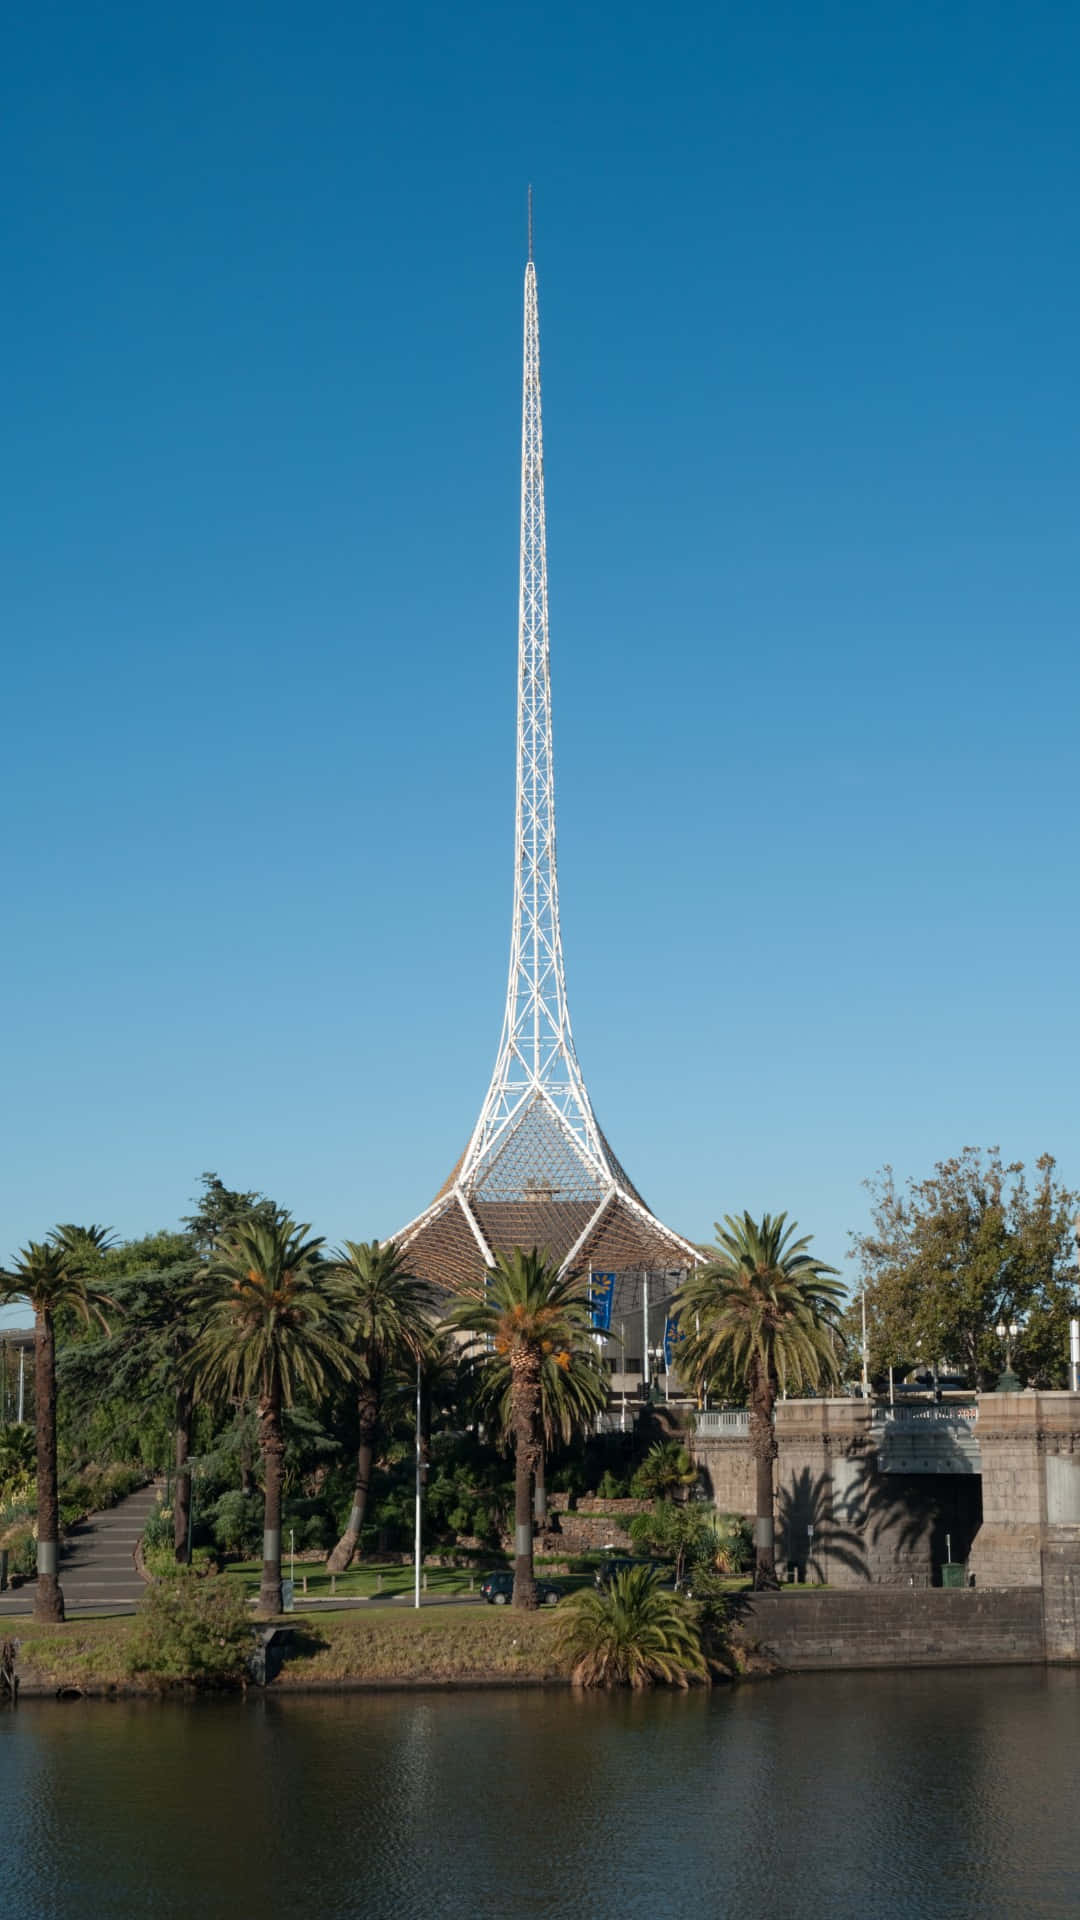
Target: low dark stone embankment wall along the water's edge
[900, 1627]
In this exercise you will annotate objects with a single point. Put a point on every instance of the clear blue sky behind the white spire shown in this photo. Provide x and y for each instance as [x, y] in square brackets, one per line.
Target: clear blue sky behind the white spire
[810, 308]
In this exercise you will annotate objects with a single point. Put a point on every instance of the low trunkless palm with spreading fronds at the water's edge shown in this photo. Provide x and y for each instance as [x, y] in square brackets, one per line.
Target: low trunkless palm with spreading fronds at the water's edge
[631, 1633]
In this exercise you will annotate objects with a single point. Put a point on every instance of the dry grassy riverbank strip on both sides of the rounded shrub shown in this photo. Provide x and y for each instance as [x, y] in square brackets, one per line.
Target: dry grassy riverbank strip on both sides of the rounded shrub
[468, 1644]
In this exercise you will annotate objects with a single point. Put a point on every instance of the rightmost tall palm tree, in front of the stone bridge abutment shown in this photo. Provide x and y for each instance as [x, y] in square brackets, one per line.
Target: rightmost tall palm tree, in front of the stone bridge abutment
[762, 1318]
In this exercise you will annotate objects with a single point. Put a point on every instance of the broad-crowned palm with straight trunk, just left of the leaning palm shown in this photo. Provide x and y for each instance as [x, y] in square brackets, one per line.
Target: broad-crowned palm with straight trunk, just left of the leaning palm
[276, 1328]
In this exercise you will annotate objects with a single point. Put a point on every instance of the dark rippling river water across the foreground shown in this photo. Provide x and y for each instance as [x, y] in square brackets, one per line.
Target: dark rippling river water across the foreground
[871, 1796]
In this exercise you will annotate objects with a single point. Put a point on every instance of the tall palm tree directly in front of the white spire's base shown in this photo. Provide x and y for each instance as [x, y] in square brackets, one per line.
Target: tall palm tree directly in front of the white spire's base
[528, 1314]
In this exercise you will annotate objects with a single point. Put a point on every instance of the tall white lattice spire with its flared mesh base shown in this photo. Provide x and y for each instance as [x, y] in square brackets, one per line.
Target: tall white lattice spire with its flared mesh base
[539, 1170]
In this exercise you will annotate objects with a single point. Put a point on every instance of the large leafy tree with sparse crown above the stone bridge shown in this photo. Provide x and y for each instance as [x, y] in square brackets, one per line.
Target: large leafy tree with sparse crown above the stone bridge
[950, 1257]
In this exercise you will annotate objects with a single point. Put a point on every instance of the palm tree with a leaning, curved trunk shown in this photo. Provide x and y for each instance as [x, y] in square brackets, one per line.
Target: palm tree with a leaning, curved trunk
[391, 1326]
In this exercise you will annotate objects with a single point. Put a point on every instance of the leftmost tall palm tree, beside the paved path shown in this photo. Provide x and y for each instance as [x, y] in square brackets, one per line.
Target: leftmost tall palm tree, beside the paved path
[53, 1278]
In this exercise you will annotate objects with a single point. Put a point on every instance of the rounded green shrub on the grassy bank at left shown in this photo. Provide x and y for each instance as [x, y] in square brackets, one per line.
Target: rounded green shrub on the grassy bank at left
[193, 1633]
